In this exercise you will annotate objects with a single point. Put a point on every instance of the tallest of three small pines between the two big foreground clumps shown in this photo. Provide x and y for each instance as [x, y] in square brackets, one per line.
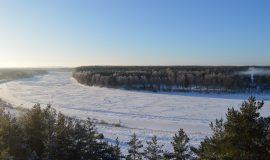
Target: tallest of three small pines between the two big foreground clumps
[180, 145]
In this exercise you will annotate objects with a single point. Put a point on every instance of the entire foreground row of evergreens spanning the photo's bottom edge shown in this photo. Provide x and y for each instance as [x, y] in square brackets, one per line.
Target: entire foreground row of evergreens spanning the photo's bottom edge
[45, 134]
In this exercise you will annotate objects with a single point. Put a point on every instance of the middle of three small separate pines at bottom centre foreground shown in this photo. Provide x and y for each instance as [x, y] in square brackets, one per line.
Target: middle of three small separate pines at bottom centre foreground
[153, 150]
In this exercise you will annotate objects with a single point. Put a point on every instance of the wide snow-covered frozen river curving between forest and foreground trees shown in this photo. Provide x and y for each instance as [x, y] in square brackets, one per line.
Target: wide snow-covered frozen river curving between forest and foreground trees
[144, 113]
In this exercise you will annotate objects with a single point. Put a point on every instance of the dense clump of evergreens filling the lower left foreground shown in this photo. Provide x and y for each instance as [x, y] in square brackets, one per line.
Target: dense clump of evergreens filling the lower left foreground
[42, 134]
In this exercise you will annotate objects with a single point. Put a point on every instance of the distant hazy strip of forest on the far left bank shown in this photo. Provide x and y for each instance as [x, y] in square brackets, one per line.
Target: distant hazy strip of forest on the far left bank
[11, 74]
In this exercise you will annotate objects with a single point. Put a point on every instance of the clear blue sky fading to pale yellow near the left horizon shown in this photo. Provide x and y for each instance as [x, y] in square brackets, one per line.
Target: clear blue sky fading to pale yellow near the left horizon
[37, 33]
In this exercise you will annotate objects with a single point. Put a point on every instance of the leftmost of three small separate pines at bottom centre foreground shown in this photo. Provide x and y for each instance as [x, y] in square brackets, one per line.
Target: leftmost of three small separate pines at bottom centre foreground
[134, 150]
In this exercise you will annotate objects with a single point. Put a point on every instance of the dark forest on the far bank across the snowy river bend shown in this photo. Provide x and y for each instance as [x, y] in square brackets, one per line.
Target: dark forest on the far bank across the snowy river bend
[173, 78]
